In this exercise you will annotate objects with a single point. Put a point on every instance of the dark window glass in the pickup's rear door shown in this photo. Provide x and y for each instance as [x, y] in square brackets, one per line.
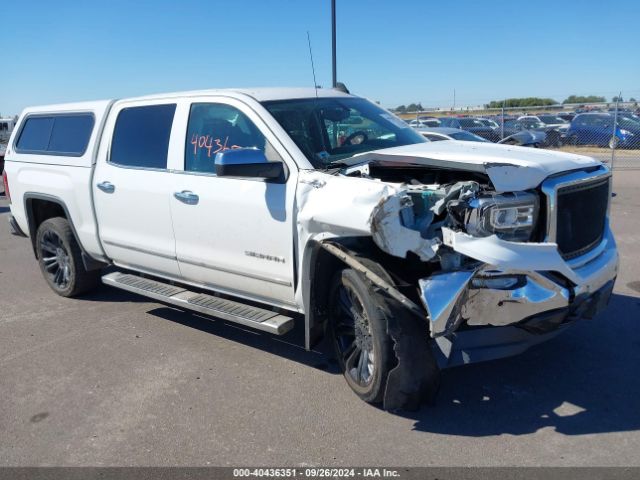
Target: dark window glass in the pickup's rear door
[141, 136]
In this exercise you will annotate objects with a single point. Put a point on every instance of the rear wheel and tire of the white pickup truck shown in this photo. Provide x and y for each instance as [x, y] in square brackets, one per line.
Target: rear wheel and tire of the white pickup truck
[60, 259]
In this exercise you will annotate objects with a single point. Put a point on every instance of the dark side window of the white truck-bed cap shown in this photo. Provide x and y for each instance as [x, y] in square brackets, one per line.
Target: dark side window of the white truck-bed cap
[66, 135]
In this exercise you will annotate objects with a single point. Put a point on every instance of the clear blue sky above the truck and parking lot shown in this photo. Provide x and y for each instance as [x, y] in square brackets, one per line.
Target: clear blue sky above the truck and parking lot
[397, 52]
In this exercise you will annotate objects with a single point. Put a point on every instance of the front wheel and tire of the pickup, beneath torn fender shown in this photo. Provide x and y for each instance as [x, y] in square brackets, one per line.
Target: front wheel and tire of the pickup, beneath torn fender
[359, 332]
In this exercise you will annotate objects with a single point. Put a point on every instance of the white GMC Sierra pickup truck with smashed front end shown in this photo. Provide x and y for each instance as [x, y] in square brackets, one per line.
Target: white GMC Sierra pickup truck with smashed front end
[272, 206]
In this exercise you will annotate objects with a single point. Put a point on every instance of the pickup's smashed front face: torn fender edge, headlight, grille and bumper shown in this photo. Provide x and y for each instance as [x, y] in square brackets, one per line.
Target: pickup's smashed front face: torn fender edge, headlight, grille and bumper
[496, 263]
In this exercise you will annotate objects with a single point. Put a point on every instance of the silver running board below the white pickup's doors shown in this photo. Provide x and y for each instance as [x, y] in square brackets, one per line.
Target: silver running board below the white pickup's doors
[236, 312]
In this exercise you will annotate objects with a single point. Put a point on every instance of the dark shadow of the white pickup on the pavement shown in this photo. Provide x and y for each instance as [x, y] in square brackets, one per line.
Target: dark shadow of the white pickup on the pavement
[584, 381]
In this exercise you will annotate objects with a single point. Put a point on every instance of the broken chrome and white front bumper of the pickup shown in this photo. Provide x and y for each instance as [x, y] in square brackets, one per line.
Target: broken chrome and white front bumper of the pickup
[528, 288]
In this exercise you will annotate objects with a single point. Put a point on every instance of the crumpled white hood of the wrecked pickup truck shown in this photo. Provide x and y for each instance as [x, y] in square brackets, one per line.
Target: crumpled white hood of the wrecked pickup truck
[510, 168]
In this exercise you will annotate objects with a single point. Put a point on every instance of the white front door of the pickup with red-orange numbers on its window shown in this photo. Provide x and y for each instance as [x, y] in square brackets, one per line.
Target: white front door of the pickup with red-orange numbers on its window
[232, 234]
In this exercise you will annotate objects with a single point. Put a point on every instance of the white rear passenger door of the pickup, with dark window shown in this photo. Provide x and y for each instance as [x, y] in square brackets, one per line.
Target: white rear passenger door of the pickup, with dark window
[132, 188]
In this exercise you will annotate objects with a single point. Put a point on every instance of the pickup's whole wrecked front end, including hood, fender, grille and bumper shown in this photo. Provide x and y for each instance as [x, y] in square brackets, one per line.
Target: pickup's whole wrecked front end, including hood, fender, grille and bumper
[478, 252]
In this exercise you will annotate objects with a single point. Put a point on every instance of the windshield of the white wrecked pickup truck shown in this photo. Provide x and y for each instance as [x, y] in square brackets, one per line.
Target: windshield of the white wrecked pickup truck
[331, 129]
